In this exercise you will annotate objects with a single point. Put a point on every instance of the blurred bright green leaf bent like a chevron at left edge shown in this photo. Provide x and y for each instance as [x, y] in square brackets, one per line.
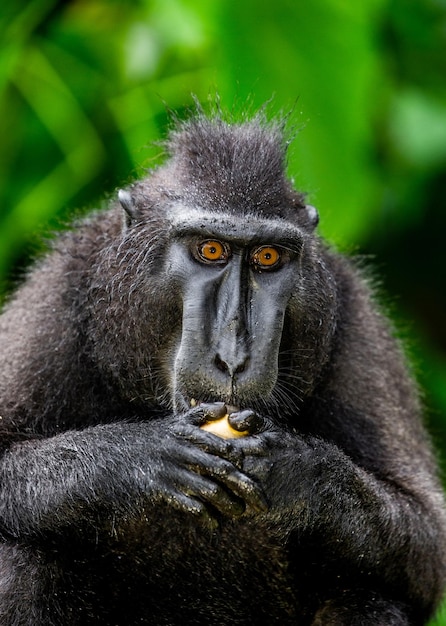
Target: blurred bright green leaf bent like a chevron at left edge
[66, 123]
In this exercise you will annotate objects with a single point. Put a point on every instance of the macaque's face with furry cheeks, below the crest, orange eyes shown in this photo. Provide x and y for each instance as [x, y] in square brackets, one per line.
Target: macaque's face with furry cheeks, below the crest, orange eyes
[241, 311]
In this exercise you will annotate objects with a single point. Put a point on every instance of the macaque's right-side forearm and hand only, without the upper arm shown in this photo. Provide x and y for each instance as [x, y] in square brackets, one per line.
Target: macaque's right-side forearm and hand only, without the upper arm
[375, 526]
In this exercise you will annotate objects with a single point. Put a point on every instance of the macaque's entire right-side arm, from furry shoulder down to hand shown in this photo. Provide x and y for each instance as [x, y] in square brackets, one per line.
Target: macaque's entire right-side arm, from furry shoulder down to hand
[358, 473]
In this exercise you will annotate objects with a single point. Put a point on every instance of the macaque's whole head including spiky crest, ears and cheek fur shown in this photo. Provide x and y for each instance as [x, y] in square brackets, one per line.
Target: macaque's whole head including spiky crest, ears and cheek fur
[228, 297]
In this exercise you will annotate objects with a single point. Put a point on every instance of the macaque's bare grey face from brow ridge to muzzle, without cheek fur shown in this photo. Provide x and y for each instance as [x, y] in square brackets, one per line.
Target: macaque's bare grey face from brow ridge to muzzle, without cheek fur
[236, 277]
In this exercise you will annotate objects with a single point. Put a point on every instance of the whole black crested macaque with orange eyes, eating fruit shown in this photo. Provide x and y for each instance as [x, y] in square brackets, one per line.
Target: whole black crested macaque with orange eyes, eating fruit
[206, 292]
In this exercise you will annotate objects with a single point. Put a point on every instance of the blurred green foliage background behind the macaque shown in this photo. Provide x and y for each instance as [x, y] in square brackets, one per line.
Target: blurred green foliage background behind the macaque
[86, 88]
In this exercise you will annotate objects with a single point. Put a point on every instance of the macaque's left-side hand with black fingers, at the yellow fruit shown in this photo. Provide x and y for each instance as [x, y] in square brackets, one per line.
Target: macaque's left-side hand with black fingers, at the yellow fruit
[204, 472]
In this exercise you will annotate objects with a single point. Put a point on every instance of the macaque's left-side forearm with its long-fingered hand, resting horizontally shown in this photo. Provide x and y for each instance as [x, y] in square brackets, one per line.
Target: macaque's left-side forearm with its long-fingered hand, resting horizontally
[81, 479]
